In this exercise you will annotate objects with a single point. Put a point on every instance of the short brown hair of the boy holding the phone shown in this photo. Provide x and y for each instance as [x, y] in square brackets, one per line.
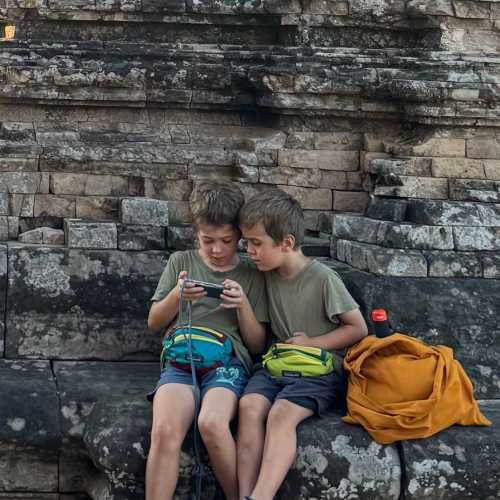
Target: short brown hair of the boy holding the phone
[216, 203]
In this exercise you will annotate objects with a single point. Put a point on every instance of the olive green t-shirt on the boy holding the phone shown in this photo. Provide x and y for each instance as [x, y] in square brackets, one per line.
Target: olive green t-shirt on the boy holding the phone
[206, 311]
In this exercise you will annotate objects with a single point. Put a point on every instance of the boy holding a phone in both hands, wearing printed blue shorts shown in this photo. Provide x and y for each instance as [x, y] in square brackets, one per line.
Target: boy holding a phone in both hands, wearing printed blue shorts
[238, 314]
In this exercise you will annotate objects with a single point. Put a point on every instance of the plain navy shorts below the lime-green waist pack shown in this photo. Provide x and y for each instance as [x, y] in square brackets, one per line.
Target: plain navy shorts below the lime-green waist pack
[317, 394]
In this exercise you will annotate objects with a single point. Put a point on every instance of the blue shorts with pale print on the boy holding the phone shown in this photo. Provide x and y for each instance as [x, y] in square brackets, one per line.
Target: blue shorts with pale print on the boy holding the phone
[232, 376]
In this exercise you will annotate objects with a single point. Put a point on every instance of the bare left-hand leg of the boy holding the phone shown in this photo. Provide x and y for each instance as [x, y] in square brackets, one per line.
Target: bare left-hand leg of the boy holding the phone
[173, 412]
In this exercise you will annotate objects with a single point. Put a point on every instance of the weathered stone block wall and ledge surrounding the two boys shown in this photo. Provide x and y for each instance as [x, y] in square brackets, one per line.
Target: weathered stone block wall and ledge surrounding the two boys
[381, 117]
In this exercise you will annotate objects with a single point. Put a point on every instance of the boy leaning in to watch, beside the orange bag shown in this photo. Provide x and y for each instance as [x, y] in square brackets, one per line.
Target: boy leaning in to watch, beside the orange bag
[308, 306]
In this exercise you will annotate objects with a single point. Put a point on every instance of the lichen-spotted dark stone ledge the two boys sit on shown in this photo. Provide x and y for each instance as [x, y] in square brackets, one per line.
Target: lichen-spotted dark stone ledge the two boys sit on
[100, 429]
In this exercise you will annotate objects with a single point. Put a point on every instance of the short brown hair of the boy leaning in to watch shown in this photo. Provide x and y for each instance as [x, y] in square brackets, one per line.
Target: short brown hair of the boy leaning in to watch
[278, 212]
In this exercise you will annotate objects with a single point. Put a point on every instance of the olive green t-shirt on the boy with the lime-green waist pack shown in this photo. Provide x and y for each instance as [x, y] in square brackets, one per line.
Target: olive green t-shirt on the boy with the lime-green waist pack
[309, 302]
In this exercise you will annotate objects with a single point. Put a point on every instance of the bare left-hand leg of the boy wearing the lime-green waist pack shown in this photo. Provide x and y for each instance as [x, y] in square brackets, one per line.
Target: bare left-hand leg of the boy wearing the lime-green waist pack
[252, 415]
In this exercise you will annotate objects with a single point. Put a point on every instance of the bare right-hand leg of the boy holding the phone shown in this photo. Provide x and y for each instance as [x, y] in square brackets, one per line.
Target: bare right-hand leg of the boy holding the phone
[217, 410]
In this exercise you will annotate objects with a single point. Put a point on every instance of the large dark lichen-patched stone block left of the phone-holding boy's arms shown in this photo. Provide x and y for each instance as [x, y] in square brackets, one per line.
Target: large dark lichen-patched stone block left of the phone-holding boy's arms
[74, 304]
